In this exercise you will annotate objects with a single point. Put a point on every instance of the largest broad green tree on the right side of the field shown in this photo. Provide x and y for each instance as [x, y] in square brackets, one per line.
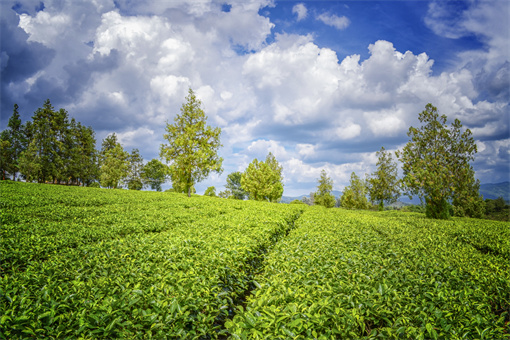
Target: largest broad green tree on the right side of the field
[436, 163]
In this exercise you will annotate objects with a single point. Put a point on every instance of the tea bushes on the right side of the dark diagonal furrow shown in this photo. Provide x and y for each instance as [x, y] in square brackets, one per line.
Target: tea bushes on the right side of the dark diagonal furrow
[359, 275]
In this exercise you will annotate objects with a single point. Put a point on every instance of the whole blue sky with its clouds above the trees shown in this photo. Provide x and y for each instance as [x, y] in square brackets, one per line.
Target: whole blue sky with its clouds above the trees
[320, 84]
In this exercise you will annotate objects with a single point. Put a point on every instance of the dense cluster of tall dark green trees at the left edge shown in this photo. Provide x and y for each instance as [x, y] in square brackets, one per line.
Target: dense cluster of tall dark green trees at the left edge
[50, 148]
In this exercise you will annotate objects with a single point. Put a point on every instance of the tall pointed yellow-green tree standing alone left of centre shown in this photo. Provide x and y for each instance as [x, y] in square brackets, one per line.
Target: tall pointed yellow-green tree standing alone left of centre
[192, 147]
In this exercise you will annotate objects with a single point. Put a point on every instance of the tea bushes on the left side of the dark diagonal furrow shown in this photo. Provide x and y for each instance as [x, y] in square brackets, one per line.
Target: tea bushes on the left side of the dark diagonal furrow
[95, 263]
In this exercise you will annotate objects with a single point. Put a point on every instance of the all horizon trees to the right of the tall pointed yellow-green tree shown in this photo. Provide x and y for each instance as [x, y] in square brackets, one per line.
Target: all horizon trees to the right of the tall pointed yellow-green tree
[435, 164]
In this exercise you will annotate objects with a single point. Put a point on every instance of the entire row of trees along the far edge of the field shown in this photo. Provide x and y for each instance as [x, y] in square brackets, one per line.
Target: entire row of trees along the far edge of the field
[51, 148]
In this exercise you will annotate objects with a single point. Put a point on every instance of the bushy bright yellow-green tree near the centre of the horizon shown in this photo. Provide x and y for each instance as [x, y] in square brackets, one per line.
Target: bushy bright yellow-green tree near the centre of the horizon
[263, 180]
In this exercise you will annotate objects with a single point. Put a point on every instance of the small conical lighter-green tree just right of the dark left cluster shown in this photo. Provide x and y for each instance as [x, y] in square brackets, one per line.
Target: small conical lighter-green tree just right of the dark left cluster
[114, 163]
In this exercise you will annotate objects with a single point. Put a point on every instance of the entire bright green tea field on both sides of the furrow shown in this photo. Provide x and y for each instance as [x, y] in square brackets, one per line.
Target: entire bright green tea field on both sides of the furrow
[94, 263]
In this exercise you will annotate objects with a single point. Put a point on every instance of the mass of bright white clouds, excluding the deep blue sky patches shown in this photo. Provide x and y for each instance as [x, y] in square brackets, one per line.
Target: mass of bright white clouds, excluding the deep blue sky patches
[290, 96]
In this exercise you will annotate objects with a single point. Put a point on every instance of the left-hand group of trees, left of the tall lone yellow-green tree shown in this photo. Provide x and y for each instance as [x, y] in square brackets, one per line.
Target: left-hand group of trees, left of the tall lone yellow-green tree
[52, 148]
